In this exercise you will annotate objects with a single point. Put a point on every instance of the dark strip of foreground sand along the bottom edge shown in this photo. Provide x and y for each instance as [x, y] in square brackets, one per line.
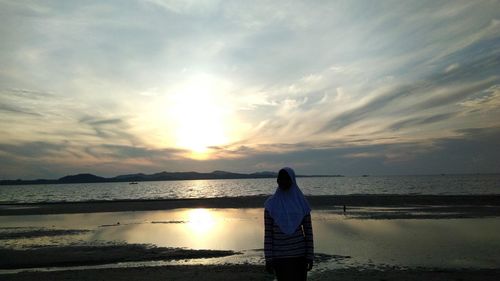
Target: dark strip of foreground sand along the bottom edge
[251, 272]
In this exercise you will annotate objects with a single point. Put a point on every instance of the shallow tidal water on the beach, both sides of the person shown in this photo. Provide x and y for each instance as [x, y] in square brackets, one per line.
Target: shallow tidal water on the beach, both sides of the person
[446, 243]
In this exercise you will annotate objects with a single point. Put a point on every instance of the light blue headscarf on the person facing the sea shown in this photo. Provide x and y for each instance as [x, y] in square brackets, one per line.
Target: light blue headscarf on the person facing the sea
[288, 207]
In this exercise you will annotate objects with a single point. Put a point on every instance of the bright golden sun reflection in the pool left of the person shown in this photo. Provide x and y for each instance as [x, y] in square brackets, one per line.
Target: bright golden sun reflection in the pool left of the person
[228, 229]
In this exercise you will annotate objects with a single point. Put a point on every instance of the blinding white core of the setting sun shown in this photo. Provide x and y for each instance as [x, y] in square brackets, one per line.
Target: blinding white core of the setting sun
[200, 115]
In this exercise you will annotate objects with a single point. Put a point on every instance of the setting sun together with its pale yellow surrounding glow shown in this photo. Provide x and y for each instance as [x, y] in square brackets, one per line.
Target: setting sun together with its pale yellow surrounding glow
[195, 114]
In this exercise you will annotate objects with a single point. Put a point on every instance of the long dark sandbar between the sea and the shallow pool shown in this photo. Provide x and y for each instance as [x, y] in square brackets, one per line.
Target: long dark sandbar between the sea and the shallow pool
[480, 205]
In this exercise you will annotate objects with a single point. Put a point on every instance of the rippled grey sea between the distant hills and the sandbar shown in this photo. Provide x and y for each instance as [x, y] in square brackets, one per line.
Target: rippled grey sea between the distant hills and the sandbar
[477, 184]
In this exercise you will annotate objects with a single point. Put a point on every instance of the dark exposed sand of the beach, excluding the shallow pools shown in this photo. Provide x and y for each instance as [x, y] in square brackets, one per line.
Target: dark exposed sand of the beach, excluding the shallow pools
[358, 206]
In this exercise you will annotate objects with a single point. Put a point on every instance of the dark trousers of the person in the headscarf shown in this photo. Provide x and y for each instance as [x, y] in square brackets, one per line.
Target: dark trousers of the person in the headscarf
[290, 269]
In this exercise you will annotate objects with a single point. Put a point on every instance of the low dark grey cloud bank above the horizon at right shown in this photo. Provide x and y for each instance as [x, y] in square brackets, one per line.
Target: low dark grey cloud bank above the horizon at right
[471, 151]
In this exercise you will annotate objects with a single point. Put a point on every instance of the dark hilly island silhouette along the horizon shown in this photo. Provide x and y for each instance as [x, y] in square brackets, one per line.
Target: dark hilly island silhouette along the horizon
[162, 176]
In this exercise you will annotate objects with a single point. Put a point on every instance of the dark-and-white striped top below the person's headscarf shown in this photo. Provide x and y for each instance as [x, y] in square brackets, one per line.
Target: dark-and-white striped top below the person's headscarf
[279, 245]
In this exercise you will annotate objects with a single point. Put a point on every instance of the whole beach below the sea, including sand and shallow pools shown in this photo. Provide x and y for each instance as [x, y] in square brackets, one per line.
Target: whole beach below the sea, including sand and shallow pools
[220, 239]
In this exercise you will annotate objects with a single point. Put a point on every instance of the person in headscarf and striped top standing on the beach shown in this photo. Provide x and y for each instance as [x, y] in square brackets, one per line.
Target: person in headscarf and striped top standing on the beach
[288, 239]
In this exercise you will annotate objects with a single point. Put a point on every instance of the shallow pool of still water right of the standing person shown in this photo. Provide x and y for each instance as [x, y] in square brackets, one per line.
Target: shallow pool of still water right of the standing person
[451, 243]
